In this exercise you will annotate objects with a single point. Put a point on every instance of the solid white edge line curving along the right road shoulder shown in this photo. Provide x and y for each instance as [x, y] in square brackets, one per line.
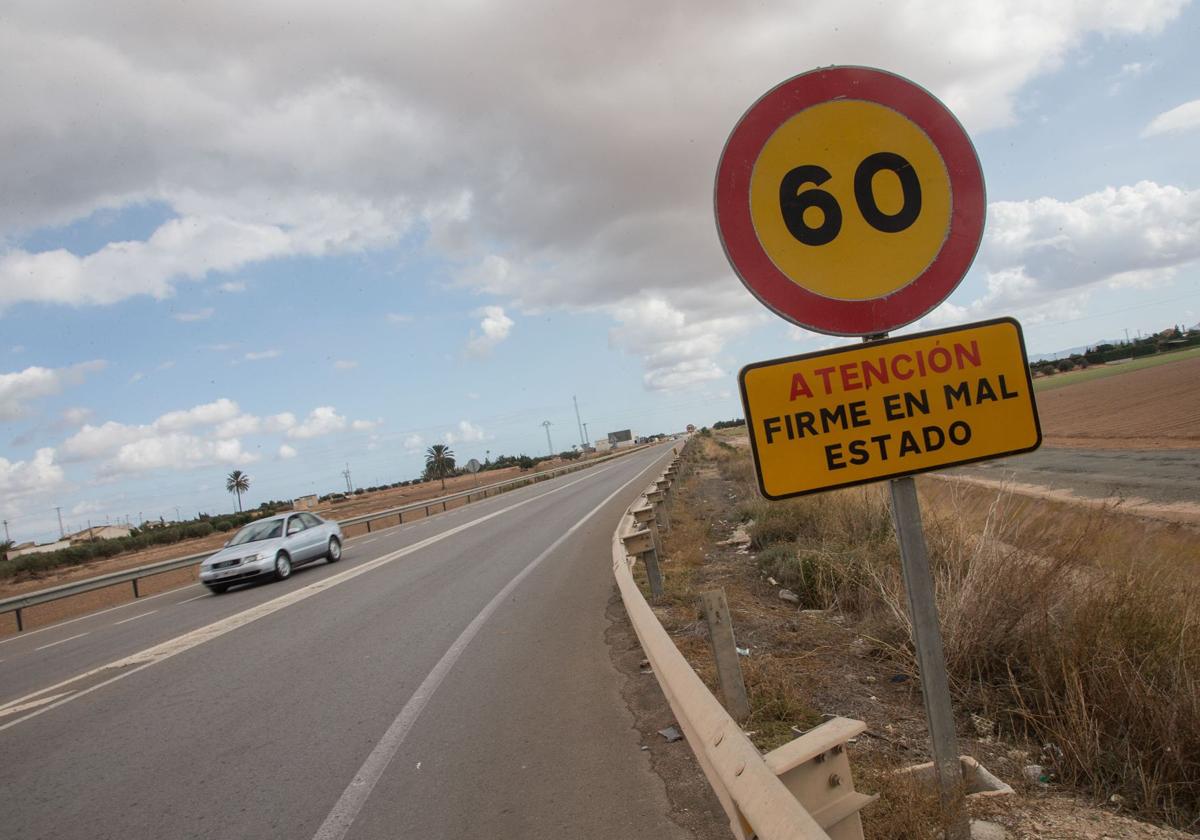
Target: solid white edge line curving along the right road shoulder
[356, 795]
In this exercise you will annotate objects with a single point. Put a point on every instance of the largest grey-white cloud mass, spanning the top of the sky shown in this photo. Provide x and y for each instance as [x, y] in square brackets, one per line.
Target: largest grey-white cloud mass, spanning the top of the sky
[285, 155]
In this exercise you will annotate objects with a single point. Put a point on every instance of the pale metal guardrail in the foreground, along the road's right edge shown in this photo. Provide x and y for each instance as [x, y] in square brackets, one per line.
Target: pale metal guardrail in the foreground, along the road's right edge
[800, 791]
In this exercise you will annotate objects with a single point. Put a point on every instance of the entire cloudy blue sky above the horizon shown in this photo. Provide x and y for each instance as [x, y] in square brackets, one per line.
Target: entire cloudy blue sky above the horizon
[289, 238]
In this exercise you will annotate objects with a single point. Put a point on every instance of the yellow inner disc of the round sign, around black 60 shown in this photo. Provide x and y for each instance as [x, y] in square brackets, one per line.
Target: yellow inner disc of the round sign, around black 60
[861, 262]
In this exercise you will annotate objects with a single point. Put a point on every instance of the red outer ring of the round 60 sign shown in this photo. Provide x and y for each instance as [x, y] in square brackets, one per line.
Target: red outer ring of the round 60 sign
[785, 297]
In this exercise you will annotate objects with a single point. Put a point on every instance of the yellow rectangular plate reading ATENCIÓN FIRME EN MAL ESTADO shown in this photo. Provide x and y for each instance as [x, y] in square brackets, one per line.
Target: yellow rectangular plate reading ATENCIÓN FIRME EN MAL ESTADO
[890, 409]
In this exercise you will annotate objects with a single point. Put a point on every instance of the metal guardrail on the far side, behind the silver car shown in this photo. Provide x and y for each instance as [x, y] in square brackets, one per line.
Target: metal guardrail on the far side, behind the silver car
[19, 603]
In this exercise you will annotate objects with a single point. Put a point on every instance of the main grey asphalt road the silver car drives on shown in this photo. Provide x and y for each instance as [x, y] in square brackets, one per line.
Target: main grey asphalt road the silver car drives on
[448, 680]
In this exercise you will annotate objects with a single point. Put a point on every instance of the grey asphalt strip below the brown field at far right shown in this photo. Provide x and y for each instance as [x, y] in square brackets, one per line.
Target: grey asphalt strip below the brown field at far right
[1159, 476]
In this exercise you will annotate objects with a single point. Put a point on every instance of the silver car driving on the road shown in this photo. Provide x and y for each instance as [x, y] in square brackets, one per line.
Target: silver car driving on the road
[273, 548]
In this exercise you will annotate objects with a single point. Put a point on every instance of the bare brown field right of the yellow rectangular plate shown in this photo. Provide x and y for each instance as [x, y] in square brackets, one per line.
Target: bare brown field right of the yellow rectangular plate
[1151, 409]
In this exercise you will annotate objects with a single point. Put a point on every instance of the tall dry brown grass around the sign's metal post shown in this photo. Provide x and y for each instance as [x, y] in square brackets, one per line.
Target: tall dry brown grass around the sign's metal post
[1072, 632]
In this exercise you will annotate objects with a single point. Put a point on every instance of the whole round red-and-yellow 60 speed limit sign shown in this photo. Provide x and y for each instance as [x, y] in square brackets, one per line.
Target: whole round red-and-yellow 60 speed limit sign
[850, 201]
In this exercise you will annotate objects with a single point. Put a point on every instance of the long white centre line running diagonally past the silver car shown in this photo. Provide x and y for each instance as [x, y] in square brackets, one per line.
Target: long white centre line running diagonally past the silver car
[165, 651]
